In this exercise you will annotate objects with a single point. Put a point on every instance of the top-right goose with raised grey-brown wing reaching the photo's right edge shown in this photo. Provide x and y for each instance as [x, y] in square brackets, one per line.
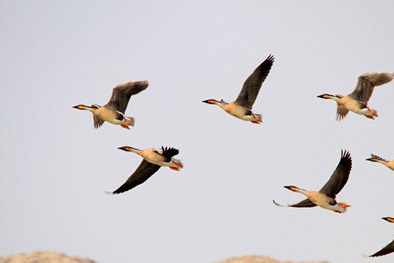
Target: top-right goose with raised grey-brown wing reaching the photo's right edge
[357, 101]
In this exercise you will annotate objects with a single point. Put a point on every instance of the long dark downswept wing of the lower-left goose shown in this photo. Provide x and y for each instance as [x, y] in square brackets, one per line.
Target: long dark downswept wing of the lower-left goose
[140, 175]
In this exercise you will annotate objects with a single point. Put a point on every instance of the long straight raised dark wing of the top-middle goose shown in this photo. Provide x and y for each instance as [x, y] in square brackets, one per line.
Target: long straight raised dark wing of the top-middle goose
[253, 83]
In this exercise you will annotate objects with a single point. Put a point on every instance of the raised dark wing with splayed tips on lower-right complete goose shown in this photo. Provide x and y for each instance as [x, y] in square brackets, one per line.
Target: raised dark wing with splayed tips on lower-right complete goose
[340, 176]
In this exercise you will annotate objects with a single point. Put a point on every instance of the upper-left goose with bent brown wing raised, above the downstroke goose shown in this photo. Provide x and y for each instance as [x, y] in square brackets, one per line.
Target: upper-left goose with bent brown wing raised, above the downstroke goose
[113, 111]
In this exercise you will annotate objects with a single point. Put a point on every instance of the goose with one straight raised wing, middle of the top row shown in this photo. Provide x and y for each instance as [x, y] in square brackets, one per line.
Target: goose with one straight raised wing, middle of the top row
[241, 108]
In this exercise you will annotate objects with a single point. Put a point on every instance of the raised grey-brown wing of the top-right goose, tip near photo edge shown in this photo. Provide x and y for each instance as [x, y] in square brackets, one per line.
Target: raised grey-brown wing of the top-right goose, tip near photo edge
[366, 84]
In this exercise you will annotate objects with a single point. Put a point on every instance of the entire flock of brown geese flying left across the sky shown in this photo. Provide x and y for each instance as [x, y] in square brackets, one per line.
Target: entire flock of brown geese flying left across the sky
[357, 102]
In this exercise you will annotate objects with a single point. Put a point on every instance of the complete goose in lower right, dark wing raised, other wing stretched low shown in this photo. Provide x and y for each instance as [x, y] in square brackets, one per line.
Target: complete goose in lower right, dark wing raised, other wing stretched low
[325, 197]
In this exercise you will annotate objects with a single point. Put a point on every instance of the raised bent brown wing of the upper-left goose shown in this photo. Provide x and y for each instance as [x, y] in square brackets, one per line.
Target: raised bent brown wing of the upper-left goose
[121, 94]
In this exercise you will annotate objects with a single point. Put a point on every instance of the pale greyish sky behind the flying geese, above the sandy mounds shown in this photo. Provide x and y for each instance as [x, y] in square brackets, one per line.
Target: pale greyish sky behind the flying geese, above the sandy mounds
[55, 167]
